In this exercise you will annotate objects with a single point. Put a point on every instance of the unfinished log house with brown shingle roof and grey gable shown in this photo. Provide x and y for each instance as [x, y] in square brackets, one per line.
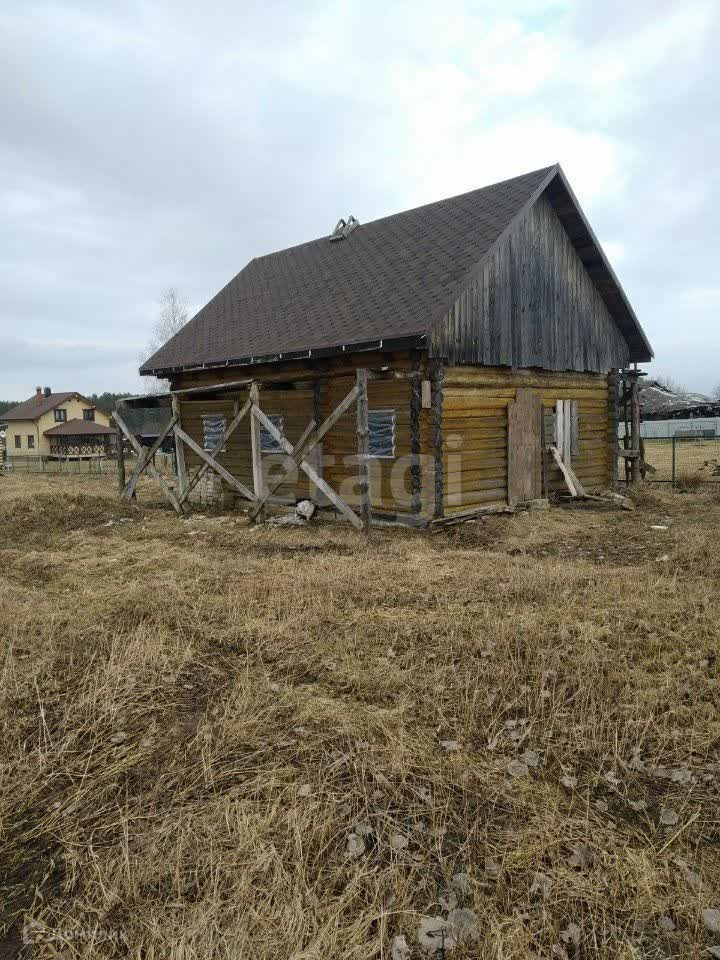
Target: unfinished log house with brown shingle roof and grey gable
[472, 316]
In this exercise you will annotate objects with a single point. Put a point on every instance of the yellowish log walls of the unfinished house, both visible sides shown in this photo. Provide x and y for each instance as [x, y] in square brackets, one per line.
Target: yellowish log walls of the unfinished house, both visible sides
[473, 432]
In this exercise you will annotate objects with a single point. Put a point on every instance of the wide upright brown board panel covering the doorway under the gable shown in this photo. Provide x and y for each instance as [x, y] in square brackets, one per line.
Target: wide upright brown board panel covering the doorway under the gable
[524, 454]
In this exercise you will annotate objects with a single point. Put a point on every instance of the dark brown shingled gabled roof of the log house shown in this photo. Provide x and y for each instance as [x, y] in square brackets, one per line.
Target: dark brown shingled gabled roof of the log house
[386, 284]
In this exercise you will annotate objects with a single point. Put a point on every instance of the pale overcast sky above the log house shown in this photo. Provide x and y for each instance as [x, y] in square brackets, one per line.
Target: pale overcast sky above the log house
[153, 144]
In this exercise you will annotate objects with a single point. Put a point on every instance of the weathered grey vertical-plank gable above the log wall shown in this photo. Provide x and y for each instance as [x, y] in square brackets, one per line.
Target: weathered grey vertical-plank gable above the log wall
[532, 304]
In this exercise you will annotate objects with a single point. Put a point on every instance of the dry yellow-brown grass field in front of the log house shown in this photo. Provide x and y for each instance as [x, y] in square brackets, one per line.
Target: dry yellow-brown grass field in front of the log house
[221, 741]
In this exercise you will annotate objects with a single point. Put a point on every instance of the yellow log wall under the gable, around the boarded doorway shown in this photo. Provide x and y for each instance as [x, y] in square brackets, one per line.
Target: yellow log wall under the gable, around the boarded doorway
[475, 431]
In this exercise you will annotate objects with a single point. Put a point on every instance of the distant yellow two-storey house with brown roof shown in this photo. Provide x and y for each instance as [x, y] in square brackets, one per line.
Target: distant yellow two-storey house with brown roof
[57, 426]
